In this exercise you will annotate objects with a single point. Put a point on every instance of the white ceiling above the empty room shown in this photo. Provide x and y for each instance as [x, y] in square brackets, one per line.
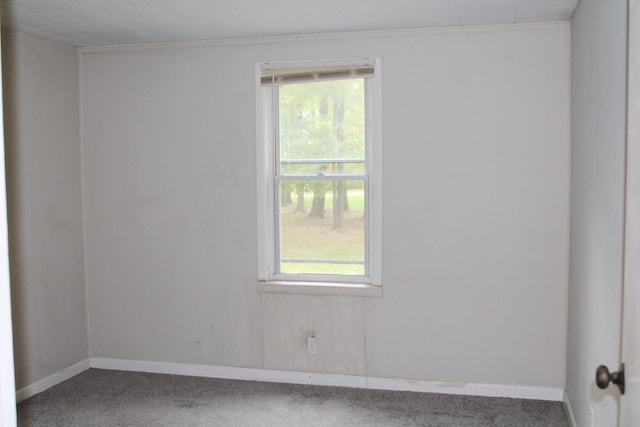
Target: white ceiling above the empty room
[113, 22]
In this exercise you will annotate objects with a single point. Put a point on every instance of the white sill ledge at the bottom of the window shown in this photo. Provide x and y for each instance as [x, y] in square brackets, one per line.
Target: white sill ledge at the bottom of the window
[311, 288]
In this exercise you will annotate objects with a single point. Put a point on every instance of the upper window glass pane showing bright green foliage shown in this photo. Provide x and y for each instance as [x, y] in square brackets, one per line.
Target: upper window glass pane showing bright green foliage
[322, 120]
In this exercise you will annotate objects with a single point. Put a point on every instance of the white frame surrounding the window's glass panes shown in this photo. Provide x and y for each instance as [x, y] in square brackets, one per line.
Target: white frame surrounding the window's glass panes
[266, 157]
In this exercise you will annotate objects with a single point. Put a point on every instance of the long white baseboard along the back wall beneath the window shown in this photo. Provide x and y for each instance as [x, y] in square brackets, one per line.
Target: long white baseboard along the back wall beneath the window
[376, 383]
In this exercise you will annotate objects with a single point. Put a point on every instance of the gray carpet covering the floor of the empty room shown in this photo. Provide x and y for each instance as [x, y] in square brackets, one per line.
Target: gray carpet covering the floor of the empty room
[114, 398]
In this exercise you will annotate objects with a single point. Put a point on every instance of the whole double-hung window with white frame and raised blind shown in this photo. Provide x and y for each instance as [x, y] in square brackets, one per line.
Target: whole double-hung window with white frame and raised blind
[319, 172]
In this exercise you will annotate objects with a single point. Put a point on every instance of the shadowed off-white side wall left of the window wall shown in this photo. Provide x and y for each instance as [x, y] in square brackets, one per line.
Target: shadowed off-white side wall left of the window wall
[45, 208]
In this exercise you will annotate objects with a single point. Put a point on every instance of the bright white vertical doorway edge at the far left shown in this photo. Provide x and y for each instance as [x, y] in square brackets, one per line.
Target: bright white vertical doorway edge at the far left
[7, 381]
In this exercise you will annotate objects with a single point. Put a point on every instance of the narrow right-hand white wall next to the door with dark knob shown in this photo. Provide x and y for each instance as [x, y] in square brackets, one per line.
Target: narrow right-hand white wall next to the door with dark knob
[597, 202]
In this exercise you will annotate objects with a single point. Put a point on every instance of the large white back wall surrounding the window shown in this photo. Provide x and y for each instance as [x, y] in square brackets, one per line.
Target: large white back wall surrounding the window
[475, 216]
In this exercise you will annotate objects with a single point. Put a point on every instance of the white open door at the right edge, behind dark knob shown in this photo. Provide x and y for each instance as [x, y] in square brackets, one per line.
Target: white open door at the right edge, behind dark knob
[629, 407]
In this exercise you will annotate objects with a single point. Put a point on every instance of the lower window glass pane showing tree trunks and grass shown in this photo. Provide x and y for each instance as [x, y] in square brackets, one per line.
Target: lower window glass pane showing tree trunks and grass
[322, 227]
